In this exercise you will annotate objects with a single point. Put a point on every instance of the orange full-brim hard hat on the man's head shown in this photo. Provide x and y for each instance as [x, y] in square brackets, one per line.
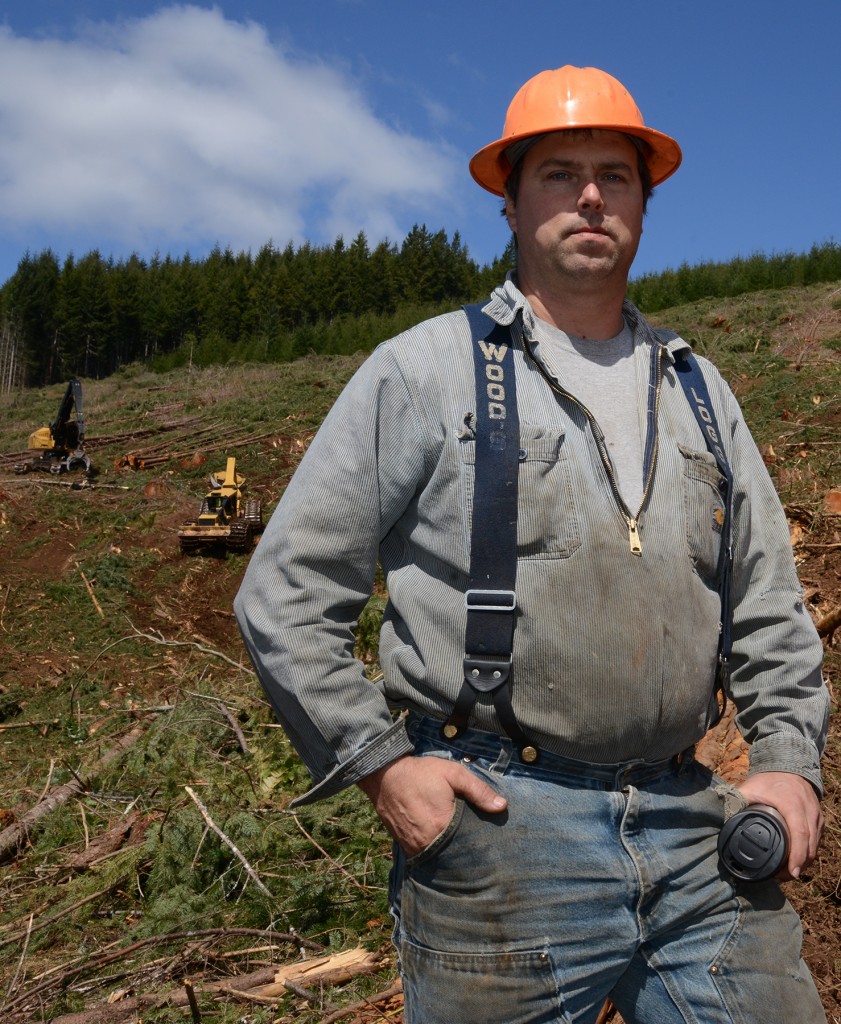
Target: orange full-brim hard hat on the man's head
[573, 98]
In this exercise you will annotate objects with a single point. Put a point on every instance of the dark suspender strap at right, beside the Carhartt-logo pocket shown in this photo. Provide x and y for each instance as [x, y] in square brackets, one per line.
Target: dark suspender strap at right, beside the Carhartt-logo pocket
[692, 379]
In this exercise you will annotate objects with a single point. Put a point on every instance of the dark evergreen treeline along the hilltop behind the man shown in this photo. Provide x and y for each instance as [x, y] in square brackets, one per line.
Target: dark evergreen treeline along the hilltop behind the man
[91, 317]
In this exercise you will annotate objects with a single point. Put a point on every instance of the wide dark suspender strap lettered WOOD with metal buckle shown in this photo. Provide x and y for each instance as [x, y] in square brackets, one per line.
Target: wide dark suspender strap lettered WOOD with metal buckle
[491, 599]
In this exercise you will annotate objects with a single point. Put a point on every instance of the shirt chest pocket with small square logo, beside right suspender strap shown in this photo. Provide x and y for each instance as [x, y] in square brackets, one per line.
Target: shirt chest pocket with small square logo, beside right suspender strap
[705, 489]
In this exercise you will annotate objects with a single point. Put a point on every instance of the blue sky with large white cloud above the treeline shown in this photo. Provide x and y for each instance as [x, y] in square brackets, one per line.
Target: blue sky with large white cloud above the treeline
[133, 126]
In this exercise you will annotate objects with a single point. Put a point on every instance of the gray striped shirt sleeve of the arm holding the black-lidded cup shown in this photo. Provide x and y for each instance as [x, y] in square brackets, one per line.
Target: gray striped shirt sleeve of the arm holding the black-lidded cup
[777, 685]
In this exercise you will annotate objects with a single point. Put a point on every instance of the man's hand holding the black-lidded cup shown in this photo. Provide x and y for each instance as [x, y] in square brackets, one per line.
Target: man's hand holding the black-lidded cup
[796, 801]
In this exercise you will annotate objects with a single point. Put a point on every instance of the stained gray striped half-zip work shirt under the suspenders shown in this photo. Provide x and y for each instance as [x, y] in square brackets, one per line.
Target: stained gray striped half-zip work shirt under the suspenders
[614, 653]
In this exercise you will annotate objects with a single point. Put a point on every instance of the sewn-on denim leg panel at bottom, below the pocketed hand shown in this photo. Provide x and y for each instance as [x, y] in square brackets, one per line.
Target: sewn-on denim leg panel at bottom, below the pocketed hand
[446, 988]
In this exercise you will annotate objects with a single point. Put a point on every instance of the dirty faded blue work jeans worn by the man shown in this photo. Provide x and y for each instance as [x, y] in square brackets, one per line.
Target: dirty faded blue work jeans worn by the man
[599, 881]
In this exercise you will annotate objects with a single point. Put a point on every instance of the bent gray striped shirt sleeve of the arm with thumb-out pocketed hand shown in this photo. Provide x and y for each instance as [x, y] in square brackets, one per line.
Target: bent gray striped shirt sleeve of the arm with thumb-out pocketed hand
[314, 571]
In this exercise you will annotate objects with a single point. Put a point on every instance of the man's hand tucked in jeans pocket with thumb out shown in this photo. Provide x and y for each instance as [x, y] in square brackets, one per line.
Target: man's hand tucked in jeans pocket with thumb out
[415, 797]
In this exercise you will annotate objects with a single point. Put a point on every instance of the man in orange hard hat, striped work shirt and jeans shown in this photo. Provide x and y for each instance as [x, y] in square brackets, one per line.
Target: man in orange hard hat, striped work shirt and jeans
[556, 842]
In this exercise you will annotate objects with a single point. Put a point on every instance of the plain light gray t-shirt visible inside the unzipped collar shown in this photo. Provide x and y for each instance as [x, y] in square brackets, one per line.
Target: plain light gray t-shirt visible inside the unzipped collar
[602, 375]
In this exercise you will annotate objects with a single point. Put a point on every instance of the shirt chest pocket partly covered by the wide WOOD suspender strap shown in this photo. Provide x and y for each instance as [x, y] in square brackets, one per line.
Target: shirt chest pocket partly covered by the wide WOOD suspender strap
[548, 521]
